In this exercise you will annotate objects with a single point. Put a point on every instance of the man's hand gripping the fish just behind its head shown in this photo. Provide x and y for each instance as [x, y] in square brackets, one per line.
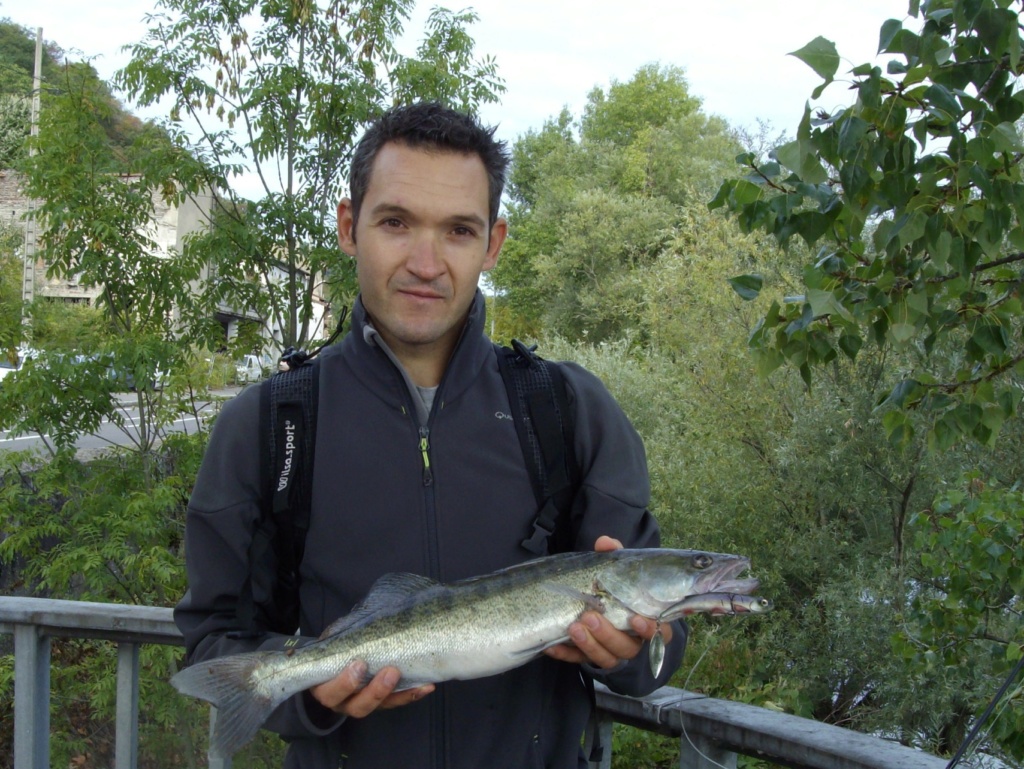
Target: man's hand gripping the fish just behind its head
[595, 640]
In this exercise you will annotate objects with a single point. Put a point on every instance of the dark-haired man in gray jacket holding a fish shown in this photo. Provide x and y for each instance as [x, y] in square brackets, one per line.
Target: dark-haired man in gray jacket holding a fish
[419, 469]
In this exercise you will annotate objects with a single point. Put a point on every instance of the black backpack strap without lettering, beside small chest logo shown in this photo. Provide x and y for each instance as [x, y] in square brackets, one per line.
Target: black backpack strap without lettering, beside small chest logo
[544, 423]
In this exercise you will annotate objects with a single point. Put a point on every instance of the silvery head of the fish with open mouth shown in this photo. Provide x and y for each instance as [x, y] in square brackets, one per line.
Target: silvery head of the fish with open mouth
[652, 583]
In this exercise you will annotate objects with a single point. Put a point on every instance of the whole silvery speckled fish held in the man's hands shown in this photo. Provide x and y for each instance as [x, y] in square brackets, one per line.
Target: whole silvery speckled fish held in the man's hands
[479, 627]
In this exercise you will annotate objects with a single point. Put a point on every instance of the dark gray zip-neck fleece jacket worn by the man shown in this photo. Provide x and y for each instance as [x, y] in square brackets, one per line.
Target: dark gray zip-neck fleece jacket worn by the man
[376, 509]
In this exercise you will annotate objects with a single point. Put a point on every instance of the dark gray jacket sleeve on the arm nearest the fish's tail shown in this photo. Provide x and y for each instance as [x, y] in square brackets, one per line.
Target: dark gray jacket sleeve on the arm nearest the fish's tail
[224, 514]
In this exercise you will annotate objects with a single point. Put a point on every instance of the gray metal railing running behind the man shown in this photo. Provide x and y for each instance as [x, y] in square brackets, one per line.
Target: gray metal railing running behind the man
[711, 733]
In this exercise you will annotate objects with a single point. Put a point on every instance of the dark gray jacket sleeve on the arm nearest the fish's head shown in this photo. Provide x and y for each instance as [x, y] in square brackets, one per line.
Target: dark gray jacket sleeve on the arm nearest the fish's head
[613, 500]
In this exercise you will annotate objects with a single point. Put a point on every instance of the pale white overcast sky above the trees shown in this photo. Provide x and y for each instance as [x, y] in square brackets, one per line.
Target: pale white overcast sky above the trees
[553, 53]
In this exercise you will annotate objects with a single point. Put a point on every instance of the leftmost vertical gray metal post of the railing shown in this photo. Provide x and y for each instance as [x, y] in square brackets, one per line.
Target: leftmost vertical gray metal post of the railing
[32, 699]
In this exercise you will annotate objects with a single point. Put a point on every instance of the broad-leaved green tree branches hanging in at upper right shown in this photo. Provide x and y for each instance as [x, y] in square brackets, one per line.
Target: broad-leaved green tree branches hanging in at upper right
[916, 196]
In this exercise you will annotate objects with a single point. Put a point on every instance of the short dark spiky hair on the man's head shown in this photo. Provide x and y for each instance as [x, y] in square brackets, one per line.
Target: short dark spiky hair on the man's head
[432, 126]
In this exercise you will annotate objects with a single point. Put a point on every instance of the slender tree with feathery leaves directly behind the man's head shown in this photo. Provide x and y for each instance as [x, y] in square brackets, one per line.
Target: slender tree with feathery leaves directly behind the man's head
[282, 91]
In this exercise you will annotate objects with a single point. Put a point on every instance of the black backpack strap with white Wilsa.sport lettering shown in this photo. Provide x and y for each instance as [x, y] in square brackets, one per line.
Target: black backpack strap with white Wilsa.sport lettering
[288, 439]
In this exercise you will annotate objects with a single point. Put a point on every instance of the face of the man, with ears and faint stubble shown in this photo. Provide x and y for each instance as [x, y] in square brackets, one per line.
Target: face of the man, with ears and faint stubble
[420, 246]
